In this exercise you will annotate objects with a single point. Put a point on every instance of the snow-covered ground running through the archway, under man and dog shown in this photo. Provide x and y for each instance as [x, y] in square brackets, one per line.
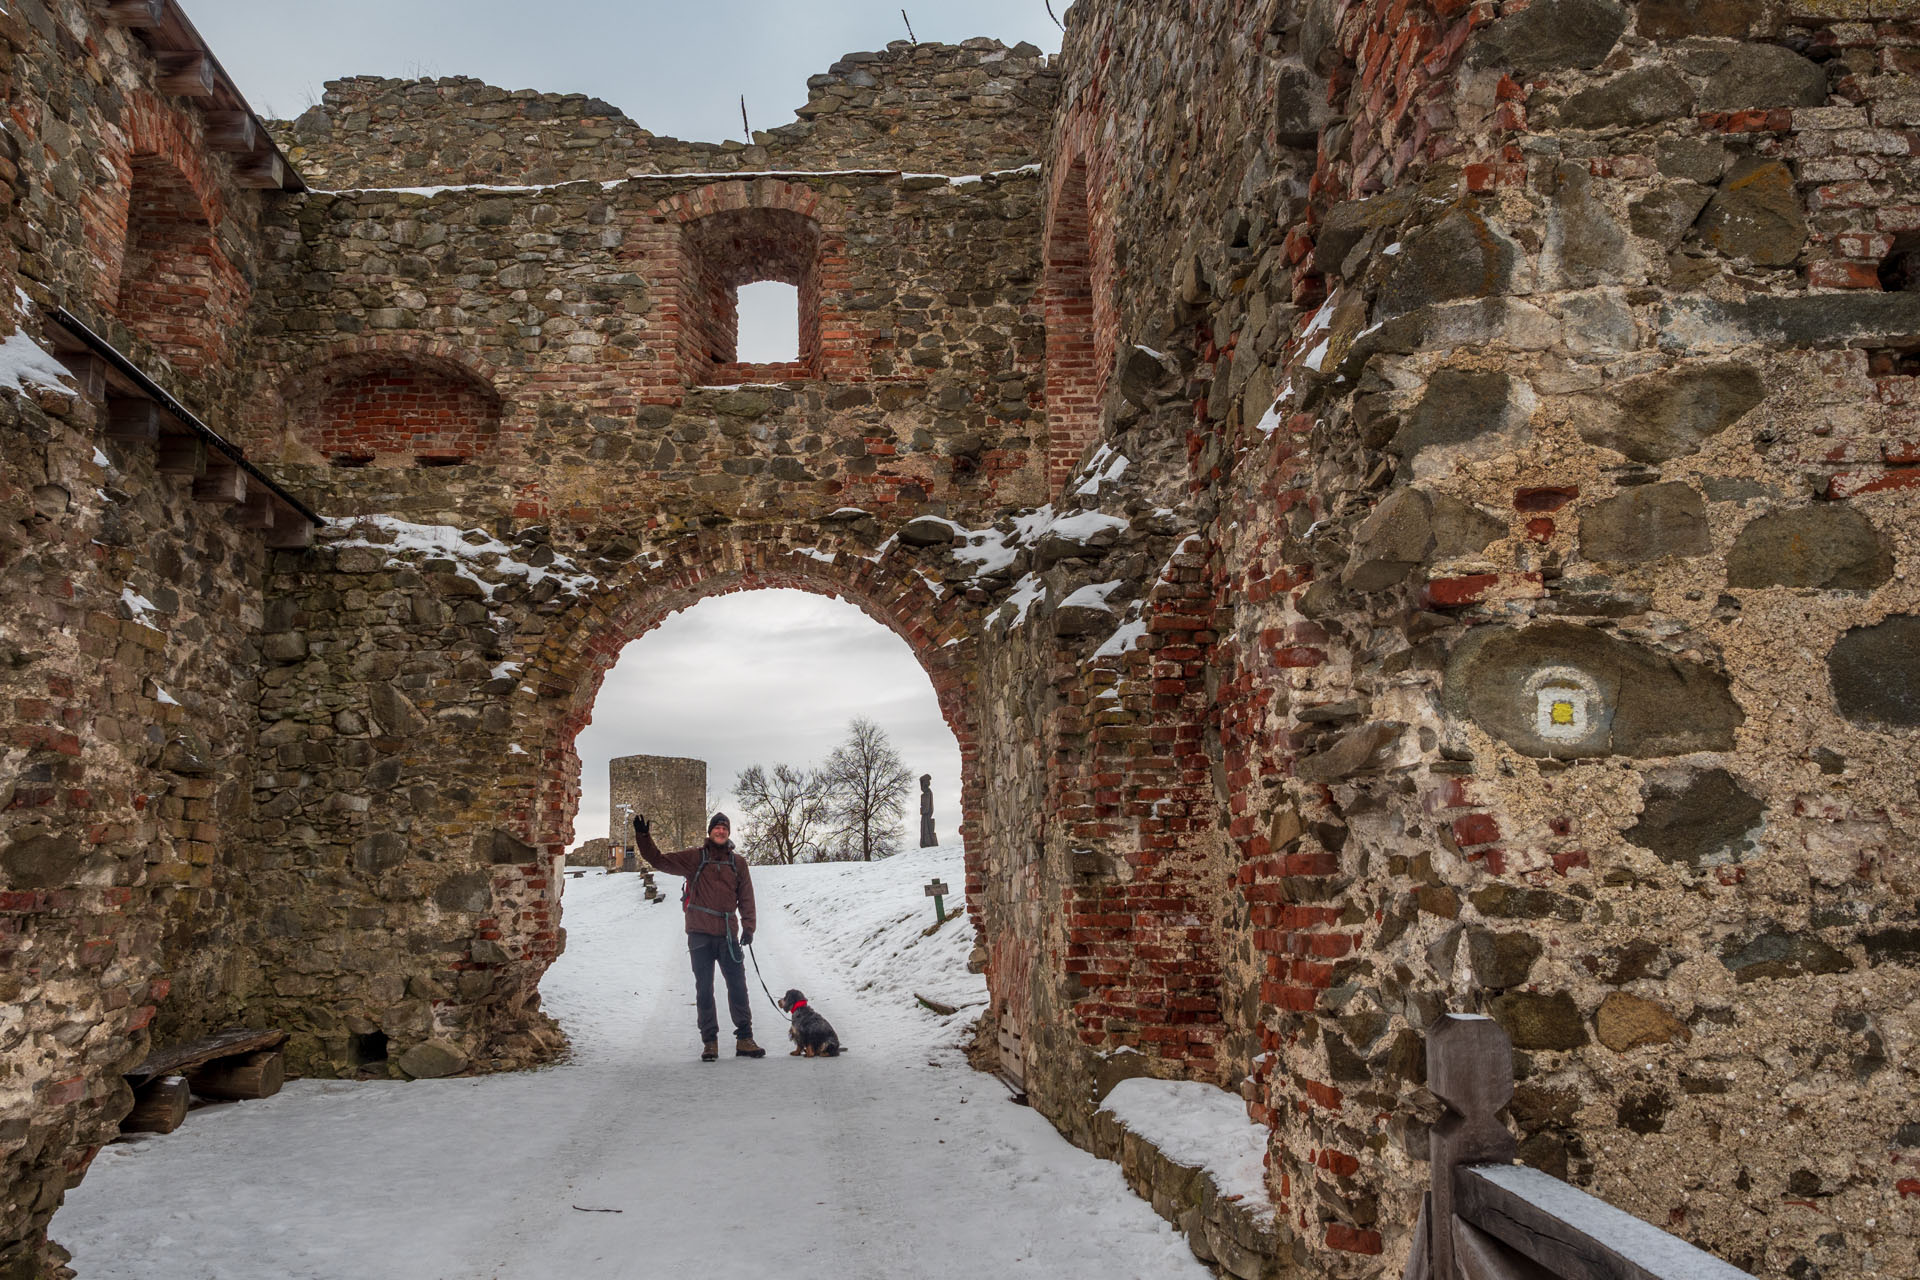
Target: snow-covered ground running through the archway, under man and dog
[890, 1162]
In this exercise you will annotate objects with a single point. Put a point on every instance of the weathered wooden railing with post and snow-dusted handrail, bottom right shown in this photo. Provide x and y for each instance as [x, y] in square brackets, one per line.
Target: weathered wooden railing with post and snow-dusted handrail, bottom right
[1491, 1220]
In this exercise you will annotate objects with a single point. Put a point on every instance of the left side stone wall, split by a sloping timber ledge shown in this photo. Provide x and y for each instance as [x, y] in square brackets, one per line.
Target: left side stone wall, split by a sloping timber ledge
[130, 611]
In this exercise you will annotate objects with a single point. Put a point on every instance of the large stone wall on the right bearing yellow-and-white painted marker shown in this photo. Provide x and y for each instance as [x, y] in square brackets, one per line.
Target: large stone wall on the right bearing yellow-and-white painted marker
[1550, 427]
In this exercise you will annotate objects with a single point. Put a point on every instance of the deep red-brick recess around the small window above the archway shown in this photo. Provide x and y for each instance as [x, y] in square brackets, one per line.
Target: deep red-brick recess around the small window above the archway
[738, 249]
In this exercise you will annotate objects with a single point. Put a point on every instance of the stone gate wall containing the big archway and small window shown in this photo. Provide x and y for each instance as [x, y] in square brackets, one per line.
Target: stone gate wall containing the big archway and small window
[437, 659]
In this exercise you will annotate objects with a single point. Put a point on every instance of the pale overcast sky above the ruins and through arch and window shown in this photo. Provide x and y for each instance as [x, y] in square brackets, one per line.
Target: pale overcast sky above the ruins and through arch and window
[754, 678]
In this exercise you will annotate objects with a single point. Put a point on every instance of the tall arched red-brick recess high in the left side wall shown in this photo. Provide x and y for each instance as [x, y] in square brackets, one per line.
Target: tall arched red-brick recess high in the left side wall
[176, 289]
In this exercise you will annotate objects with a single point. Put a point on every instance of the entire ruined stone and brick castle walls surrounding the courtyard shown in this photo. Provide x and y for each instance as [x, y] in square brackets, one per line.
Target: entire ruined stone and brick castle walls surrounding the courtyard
[1408, 510]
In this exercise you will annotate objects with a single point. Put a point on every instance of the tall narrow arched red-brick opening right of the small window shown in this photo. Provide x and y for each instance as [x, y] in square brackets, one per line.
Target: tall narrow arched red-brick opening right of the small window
[1074, 367]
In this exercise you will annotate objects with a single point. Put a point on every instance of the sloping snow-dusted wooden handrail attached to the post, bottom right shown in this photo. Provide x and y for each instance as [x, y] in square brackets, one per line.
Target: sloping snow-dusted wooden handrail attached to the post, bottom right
[1575, 1235]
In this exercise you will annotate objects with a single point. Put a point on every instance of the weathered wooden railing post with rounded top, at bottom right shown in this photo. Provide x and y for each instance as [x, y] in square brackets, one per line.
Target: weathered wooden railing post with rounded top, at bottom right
[1470, 1068]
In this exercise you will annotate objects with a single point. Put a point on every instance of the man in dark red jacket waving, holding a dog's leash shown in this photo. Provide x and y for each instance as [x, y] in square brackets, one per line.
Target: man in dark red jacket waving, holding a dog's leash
[717, 889]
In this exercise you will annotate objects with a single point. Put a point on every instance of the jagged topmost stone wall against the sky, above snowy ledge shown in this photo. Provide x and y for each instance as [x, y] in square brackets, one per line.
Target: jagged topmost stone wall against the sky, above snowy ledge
[932, 108]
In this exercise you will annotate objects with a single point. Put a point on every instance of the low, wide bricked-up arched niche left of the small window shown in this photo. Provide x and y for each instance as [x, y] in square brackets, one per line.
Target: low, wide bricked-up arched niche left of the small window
[402, 412]
